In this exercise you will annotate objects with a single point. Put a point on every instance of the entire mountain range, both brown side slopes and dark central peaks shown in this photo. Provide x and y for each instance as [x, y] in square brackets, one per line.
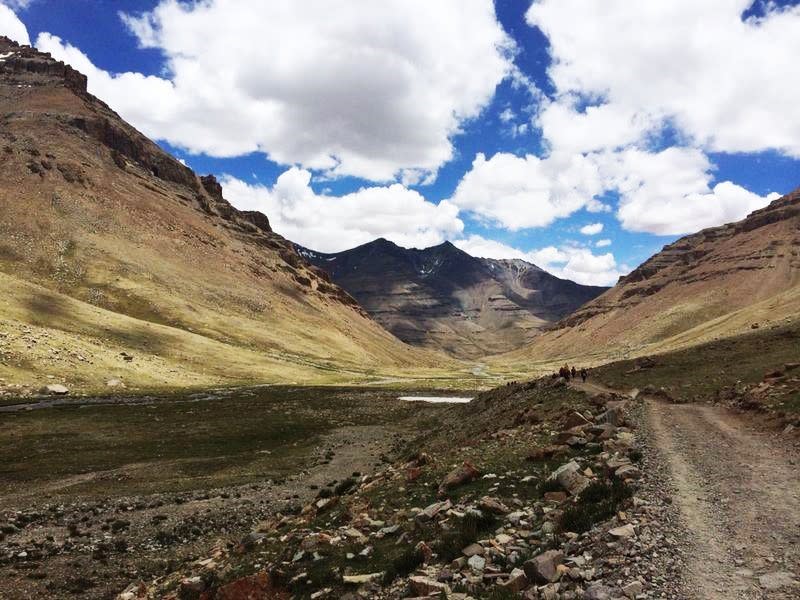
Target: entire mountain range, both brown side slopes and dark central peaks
[119, 262]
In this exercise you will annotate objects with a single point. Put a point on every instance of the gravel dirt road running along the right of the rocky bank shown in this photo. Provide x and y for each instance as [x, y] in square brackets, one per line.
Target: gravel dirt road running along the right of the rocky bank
[738, 492]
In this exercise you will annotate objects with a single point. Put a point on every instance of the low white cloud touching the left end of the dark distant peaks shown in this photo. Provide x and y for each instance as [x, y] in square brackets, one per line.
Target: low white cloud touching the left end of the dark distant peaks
[334, 223]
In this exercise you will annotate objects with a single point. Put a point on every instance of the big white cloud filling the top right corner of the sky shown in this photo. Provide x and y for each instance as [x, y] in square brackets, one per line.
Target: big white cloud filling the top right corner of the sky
[729, 84]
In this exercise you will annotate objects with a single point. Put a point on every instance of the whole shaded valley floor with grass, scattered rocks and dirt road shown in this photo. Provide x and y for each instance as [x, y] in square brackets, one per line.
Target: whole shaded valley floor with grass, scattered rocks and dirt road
[208, 488]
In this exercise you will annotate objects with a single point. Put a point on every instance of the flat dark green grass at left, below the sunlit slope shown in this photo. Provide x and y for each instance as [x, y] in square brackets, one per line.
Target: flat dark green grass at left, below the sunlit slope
[176, 444]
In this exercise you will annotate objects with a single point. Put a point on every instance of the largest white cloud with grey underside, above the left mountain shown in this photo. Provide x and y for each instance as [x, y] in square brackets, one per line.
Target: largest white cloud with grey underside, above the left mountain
[370, 89]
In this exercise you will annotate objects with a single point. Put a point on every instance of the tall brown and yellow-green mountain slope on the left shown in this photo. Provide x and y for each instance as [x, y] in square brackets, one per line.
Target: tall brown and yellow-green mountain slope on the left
[110, 245]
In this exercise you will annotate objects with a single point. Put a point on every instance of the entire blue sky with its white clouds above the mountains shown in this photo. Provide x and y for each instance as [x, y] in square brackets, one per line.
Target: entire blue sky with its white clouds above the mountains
[507, 127]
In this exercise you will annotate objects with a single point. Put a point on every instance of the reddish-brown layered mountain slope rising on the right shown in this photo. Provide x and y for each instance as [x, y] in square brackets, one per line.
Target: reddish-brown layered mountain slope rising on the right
[718, 282]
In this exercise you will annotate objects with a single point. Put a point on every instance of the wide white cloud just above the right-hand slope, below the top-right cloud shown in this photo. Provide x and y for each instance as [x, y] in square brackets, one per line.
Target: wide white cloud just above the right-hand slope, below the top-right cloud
[665, 193]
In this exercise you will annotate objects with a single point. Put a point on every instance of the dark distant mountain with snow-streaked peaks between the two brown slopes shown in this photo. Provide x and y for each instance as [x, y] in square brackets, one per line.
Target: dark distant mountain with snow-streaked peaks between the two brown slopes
[441, 297]
